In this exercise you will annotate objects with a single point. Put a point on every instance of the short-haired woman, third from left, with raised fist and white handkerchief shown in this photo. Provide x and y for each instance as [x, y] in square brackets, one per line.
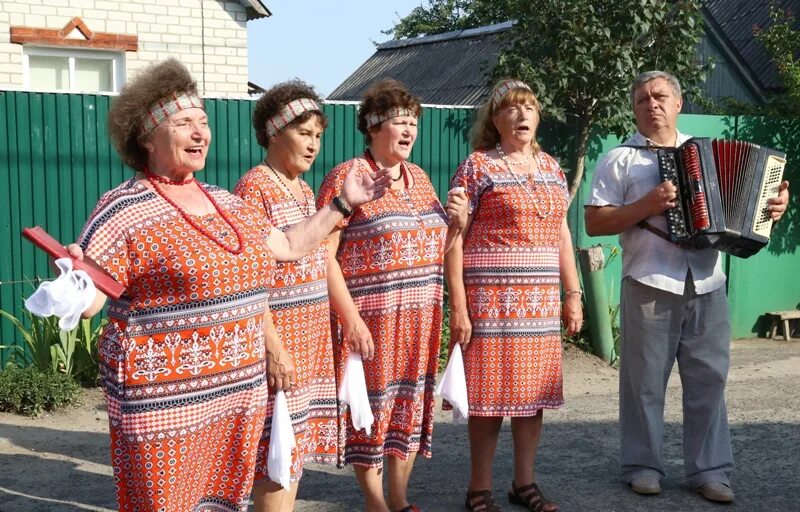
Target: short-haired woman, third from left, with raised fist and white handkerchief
[391, 253]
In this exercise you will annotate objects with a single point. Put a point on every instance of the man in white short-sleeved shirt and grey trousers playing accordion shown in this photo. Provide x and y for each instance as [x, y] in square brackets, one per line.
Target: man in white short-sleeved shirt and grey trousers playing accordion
[673, 304]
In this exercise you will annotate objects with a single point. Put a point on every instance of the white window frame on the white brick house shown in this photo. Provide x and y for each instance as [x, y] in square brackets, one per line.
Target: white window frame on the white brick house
[117, 66]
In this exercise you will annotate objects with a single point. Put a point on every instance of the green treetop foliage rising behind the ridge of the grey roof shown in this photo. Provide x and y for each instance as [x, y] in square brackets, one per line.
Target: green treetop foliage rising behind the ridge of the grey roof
[448, 15]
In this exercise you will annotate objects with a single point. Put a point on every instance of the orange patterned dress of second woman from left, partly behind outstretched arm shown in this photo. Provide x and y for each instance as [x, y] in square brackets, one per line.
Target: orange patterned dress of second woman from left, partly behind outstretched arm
[301, 313]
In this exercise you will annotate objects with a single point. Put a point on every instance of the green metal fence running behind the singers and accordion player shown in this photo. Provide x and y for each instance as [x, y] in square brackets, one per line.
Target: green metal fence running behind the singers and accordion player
[56, 160]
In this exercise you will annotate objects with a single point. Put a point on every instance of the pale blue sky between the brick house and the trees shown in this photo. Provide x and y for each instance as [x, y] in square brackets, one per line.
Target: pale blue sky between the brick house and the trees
[319, 41]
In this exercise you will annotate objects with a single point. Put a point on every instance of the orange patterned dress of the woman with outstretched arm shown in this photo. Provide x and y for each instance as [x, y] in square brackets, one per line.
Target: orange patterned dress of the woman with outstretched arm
[182, 358]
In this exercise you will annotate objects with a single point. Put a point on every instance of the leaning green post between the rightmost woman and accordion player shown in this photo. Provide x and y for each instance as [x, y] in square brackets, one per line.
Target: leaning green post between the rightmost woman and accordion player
[592, 262]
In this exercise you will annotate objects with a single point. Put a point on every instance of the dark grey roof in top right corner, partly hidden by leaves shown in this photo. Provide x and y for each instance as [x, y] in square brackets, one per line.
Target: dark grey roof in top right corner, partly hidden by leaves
[734, 21]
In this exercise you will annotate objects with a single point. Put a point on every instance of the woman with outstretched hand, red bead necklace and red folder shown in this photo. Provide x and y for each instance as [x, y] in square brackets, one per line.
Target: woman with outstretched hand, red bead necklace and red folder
[190, 348]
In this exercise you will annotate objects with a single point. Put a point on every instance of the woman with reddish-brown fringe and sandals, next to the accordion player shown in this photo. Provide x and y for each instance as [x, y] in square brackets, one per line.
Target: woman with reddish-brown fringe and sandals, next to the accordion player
[504, 279]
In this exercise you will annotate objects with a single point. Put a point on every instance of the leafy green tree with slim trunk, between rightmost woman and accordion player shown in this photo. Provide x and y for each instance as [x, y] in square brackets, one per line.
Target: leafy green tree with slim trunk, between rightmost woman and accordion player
[580, 56]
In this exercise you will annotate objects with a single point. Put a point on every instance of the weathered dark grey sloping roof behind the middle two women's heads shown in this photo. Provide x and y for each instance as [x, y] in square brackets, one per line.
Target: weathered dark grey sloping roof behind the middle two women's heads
[443, 69]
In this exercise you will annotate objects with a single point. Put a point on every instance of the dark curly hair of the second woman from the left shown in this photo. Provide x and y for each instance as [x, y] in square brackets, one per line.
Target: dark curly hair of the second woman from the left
[278, 97]
